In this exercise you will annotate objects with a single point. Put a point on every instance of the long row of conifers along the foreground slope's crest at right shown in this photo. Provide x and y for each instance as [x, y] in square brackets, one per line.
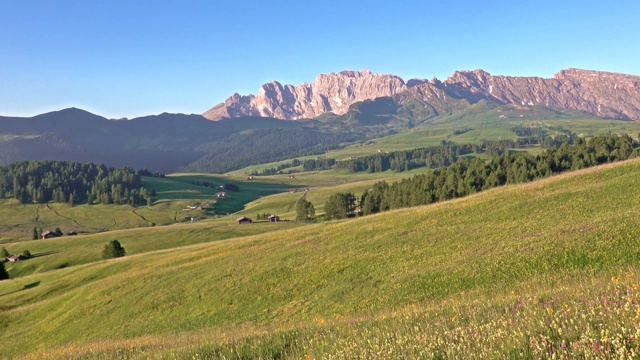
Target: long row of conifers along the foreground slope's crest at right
[466, 176]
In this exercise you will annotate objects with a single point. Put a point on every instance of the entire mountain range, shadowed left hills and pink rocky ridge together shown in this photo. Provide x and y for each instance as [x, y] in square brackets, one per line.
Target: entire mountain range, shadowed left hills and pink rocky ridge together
[282, 122]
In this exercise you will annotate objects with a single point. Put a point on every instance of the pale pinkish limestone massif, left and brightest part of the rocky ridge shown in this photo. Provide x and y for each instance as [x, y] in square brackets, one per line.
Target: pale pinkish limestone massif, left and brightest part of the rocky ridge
[329, 92]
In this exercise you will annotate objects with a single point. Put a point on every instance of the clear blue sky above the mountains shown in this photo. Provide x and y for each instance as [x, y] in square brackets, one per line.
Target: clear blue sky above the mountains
[121, 58]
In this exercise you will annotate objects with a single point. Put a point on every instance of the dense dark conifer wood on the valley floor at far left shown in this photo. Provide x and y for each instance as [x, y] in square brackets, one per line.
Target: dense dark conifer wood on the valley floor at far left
[72, 182]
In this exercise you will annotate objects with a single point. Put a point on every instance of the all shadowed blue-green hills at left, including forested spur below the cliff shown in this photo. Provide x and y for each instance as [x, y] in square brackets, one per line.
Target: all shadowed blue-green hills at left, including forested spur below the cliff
[166, 142]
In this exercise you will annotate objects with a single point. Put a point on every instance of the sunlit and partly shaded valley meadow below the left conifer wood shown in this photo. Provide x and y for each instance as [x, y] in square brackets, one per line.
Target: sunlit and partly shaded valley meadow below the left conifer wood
[174, 194]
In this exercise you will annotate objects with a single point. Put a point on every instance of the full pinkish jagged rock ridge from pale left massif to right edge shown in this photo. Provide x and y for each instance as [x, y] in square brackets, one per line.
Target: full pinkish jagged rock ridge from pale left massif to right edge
[599, 93]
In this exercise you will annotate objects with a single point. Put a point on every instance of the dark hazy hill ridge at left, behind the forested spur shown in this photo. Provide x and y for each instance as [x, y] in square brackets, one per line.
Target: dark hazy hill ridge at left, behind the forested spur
[161, 143]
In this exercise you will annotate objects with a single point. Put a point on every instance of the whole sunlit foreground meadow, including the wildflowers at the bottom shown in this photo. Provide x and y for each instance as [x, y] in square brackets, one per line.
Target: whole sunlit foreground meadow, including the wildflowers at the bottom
[540, 270]
